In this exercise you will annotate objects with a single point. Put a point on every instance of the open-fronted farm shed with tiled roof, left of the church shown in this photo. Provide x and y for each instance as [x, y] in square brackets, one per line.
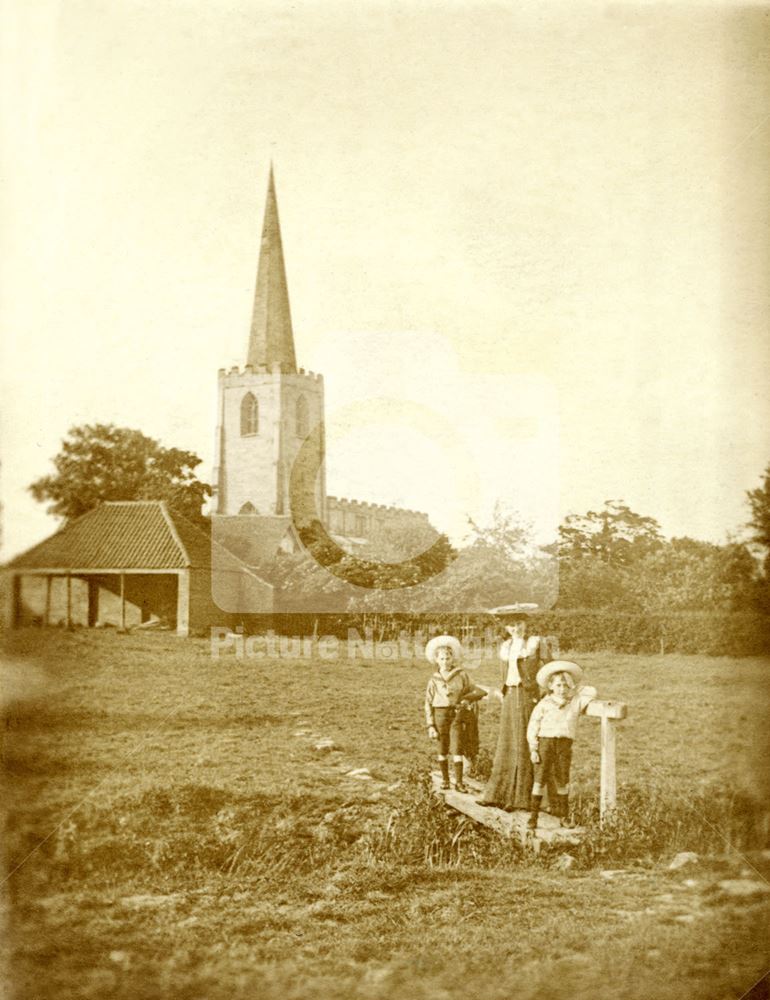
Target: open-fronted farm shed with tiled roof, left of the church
[127, 563]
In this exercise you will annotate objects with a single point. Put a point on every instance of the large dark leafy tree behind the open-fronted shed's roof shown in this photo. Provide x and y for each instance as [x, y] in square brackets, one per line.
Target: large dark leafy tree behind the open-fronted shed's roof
[100, 462]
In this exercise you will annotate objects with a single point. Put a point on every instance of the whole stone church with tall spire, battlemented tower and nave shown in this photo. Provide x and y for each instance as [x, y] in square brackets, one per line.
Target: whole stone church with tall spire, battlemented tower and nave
[270, 443]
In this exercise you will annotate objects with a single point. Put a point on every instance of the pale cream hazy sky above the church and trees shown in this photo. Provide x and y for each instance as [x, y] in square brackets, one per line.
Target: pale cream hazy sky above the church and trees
[526, 243]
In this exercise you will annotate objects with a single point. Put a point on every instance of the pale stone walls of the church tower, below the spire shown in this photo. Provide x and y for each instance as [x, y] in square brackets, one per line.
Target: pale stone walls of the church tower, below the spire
[253, 470]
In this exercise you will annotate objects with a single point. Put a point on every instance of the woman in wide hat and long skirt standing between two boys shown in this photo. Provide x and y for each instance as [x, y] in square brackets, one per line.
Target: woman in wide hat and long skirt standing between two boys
[521, 655]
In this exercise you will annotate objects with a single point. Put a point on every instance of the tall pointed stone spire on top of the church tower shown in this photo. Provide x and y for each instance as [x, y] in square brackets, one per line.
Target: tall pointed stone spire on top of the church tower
[272, 340]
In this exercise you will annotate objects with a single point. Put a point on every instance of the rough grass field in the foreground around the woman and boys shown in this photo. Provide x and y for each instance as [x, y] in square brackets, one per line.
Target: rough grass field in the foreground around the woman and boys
[172, 832]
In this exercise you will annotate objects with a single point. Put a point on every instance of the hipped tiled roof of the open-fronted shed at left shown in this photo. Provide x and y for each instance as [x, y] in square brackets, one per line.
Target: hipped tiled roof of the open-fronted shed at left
[124, 534]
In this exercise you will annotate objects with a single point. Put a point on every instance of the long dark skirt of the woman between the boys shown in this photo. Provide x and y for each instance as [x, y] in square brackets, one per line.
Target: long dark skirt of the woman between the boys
[510, 783]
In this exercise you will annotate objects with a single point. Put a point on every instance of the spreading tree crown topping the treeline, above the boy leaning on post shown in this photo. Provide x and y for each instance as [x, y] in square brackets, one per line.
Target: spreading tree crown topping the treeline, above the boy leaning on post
[615, 535]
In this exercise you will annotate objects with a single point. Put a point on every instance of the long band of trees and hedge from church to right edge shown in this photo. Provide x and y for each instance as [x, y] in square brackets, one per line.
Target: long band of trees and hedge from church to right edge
[611, 581]
